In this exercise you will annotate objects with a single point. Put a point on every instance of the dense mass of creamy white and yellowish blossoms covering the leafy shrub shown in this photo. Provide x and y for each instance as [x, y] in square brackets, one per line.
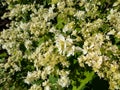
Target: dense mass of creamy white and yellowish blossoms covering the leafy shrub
[46, 36]
